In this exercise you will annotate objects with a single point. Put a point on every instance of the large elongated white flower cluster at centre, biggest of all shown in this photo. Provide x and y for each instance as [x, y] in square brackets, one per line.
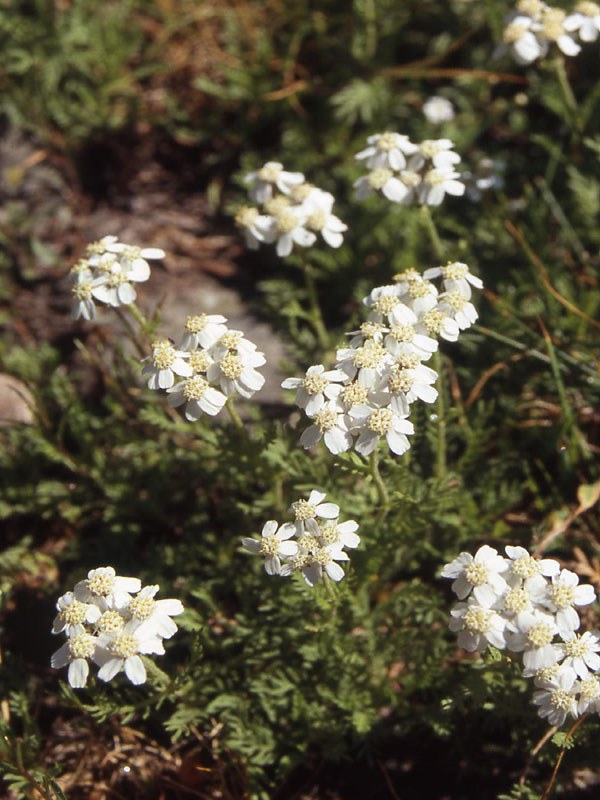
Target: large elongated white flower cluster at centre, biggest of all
[381, 372]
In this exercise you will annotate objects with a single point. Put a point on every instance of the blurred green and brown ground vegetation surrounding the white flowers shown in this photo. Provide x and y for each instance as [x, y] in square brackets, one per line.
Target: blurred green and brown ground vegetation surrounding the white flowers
[143, 116]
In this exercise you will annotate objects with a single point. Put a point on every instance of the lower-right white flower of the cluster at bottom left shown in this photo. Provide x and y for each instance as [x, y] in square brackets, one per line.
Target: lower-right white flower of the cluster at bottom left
[122, 651]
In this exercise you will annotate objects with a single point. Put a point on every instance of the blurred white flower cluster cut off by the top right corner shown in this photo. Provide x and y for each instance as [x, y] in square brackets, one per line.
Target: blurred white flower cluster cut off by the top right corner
[533, 26]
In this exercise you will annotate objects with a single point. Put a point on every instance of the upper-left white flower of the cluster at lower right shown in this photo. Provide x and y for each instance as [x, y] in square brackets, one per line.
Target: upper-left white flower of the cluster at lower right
[480, 573]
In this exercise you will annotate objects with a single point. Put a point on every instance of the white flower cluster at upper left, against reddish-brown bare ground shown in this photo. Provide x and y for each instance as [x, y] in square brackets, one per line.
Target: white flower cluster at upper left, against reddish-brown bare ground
[107, 272]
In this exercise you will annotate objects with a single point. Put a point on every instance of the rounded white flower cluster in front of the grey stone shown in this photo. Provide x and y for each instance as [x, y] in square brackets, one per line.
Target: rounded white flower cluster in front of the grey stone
[209, 355]
